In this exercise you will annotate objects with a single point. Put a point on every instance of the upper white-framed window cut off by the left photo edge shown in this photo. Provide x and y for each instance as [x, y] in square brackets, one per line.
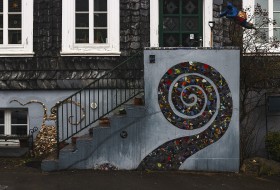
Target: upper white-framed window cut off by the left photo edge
[16, 28]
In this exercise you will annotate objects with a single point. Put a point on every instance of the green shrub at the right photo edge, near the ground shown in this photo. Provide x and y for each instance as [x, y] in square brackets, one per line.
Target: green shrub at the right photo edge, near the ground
[272, 143]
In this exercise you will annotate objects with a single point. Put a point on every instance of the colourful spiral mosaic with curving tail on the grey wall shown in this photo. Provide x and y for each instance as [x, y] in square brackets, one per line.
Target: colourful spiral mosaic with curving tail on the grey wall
[191, 95]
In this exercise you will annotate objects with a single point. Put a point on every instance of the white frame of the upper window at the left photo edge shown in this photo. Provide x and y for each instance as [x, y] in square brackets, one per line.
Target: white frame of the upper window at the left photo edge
[25, 49]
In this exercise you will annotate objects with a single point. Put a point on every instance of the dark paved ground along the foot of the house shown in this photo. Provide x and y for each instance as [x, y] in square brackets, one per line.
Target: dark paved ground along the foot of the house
[14, 175]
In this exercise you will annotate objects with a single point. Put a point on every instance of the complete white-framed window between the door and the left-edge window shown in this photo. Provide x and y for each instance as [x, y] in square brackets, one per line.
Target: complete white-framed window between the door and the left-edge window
[90, 27]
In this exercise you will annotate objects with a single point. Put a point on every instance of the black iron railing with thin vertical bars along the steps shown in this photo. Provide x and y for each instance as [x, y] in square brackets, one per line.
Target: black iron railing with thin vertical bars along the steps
[99, 98]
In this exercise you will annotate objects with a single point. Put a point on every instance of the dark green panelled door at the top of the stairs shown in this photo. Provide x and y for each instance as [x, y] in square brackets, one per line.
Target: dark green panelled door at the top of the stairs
[180, 23]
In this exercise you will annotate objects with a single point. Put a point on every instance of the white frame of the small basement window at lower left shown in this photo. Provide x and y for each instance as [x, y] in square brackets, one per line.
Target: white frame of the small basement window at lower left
[8, 122]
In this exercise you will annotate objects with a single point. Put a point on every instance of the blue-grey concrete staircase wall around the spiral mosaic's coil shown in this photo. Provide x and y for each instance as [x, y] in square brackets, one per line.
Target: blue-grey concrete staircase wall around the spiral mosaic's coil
[152, 141]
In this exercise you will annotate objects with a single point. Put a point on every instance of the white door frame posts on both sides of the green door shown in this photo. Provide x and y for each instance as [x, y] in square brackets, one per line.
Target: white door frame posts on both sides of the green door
[154, 22]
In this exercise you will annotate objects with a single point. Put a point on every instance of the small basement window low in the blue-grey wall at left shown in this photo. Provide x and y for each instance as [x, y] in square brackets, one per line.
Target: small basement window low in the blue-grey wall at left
[14, 122]
